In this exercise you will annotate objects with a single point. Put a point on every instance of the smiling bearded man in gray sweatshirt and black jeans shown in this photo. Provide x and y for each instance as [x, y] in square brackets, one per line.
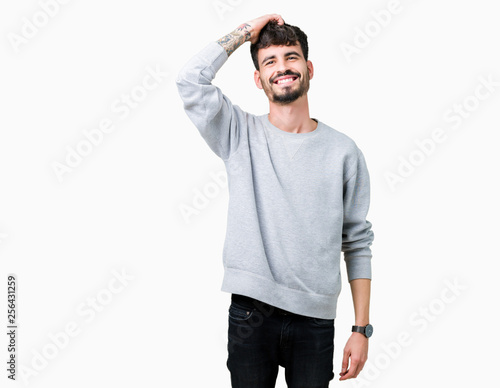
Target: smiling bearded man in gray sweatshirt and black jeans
[298, 196]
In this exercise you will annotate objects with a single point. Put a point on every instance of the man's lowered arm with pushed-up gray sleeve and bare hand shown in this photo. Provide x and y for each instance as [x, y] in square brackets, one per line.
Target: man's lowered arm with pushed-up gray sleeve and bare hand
[357, 237]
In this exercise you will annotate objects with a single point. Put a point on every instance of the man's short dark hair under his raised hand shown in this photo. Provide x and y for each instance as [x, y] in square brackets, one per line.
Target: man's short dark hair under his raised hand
[274, 34]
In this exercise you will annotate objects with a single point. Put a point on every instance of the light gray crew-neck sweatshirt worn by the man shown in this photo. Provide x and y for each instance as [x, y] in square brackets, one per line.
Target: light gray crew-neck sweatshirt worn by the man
[296, 200]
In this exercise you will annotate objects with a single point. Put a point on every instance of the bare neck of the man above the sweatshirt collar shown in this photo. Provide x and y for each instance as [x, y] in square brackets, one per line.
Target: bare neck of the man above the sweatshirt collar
[293, 117]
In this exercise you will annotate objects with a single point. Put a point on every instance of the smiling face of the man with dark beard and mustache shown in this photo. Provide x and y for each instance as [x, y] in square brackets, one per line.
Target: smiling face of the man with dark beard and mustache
[284, 73]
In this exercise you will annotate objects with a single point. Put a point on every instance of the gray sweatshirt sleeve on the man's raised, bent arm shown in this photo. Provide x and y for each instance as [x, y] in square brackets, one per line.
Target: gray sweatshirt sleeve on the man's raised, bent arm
[212, 113]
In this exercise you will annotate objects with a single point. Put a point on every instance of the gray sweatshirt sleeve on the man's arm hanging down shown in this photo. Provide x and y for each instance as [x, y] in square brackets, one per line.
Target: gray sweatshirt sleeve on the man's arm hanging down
[357, 235]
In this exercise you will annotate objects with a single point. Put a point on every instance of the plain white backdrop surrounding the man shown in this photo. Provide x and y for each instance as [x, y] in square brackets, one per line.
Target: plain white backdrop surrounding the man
[119, 209]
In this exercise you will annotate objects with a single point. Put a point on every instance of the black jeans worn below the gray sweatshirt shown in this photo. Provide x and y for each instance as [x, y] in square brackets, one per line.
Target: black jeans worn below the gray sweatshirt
[262, 337]
